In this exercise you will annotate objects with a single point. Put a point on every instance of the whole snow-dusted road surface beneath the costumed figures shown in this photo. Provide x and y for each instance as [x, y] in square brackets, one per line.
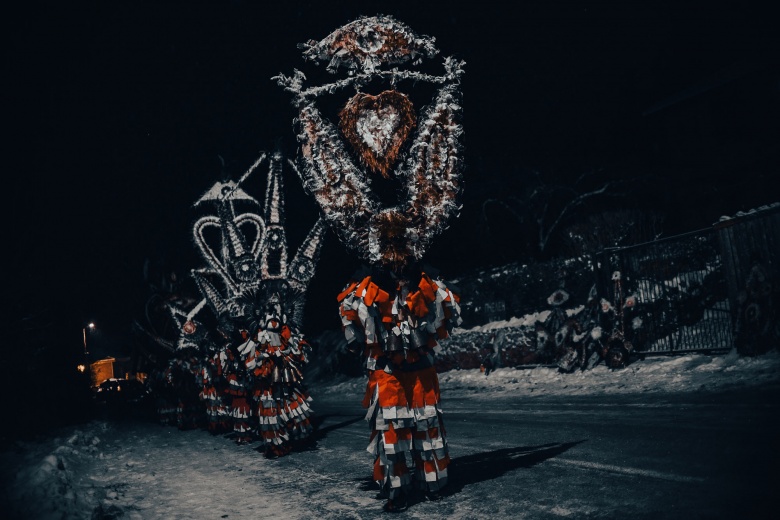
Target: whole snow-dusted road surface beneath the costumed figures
[691, 455]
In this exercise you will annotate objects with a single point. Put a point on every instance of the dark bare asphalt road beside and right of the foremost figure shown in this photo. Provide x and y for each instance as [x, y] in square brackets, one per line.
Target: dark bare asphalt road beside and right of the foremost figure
[693, 455]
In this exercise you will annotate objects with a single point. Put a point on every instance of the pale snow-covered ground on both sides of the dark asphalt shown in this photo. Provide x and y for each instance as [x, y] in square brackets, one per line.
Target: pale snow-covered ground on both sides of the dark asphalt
[83, 472]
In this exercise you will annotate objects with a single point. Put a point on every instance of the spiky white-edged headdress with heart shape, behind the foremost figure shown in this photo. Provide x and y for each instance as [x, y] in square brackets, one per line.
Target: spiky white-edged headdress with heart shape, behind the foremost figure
[246, 255]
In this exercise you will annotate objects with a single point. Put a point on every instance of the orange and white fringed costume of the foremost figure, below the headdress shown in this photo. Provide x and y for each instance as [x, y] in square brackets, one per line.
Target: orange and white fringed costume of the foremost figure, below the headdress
[400, 331]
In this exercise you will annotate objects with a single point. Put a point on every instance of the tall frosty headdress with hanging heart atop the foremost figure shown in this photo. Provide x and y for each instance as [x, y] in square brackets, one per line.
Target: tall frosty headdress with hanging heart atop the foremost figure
[381, 133]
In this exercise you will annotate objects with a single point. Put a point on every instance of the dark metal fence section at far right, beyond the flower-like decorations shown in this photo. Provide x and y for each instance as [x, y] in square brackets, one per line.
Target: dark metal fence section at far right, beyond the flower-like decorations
[690, 291]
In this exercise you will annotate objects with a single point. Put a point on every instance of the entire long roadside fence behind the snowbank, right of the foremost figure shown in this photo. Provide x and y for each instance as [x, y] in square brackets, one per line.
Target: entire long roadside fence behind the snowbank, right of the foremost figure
[708, 290]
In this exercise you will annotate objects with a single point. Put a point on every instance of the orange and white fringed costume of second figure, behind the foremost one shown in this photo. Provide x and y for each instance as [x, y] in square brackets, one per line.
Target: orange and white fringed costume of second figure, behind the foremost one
[275, 358]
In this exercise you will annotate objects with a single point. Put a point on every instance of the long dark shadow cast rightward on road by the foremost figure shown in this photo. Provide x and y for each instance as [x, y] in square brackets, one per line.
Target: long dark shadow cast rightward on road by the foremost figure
[479, 467]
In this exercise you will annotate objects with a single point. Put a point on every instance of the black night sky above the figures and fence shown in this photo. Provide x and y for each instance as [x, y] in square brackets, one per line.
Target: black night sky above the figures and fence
[120, 111]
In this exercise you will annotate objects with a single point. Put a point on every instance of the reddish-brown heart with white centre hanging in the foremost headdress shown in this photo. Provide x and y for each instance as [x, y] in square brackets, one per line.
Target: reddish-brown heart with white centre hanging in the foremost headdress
[377, 127]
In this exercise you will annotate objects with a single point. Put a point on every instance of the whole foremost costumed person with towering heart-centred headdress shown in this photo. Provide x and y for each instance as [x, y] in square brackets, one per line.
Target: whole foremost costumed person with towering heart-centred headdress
[396, 310]
